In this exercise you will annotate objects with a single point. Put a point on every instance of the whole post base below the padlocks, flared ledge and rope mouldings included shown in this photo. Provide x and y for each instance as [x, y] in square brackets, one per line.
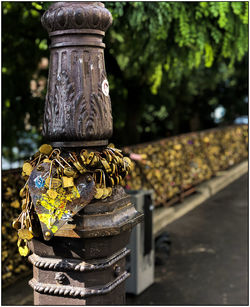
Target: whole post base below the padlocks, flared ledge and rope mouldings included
[84, 264]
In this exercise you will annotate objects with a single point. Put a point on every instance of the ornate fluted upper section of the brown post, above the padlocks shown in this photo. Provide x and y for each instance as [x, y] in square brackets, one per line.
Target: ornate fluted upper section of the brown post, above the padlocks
[78, 106]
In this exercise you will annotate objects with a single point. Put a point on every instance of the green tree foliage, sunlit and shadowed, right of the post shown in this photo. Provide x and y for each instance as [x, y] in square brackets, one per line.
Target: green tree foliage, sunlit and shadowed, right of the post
[171, 57]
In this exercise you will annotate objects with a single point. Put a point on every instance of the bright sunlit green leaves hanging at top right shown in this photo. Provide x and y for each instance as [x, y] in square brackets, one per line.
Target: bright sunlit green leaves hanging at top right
[205, 31]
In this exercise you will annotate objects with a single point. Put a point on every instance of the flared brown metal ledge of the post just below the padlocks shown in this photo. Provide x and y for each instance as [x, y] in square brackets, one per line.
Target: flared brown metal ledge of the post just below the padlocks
[103, 218]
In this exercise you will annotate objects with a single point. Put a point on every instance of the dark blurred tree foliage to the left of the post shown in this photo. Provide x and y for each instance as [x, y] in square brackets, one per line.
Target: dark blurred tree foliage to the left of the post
[24, 43]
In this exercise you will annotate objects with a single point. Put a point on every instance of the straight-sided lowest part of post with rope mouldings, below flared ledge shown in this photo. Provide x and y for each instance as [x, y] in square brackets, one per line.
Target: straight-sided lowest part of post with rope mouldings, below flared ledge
[69, 271]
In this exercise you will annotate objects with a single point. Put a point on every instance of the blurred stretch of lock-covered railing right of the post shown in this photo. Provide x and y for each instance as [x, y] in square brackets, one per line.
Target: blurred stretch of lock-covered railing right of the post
[172, 167]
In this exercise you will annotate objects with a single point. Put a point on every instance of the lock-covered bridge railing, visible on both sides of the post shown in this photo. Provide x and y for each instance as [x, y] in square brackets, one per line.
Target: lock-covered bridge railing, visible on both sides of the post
[171, 167]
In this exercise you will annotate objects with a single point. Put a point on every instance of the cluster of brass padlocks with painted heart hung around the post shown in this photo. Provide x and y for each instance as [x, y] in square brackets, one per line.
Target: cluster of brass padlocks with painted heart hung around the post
[54, 182]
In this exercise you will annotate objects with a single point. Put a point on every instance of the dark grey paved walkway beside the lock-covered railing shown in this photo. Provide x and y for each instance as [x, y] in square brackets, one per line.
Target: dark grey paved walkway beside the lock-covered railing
[208, 264]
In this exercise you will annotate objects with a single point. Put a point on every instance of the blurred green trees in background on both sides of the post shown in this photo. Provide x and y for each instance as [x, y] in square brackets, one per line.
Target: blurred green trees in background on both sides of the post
[173, 67]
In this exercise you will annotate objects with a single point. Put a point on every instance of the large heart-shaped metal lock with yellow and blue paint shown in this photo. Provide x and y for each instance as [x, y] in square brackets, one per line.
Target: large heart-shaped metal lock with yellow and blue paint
[56, 200]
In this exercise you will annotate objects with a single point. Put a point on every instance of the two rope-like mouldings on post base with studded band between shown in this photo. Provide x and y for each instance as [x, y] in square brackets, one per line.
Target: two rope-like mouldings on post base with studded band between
[66, 277]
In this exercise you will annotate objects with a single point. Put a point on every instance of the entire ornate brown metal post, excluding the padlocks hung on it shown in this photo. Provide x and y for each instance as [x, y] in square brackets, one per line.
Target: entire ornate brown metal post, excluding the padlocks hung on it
[84, 263]
